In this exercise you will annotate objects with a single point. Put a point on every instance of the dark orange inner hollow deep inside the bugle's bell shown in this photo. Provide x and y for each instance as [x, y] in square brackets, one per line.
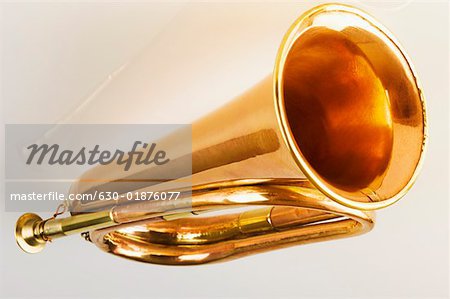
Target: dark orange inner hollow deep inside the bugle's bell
[334, 78]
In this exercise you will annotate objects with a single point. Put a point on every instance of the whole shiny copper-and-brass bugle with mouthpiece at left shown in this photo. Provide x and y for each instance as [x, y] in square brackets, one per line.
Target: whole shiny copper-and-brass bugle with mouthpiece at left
[337, 131]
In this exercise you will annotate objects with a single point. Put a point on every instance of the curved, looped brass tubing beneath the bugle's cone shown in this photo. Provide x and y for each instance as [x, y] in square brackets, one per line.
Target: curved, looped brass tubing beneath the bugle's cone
[295, 213]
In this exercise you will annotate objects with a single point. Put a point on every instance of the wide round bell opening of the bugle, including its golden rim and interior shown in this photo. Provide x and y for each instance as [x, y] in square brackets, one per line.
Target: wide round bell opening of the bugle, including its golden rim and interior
[350, 106]
